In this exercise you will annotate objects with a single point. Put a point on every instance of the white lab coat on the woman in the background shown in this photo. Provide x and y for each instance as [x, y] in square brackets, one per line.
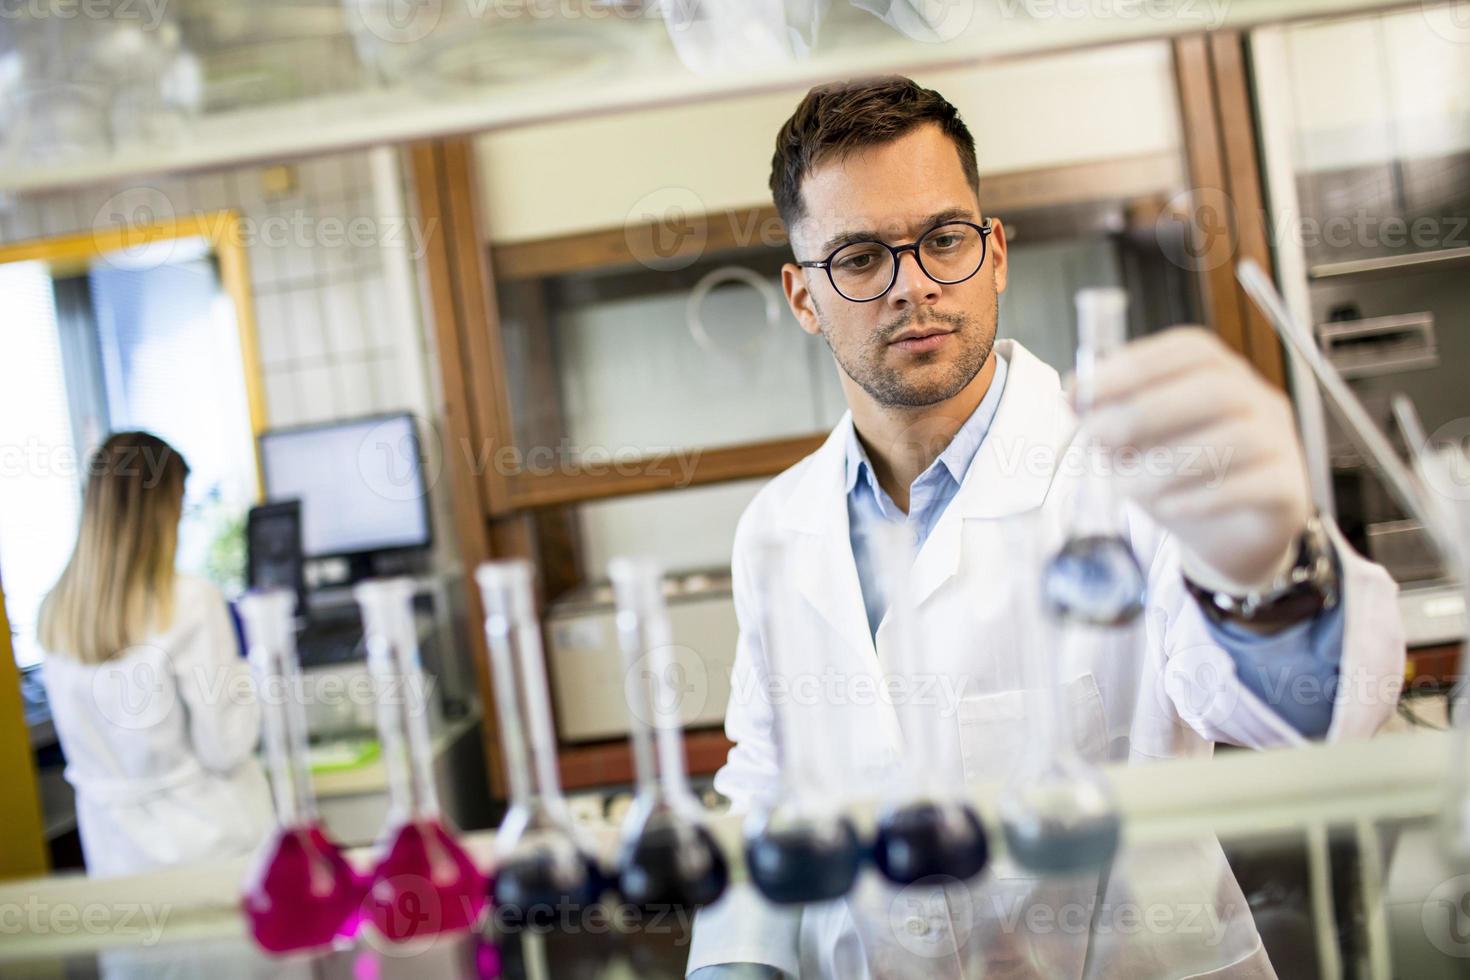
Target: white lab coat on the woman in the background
[161, 741]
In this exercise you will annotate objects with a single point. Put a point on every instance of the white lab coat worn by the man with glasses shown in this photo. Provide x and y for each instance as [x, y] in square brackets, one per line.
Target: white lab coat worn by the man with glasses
[1168, 693]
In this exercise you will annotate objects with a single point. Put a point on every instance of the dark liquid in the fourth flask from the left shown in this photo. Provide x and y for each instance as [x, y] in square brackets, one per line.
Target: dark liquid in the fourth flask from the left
[673, 863]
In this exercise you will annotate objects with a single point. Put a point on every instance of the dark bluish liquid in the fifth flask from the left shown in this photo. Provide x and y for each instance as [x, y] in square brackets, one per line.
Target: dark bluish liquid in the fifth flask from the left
[805, 863]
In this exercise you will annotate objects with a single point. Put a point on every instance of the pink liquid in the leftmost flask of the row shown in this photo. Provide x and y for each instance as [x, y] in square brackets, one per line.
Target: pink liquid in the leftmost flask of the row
[304, 894]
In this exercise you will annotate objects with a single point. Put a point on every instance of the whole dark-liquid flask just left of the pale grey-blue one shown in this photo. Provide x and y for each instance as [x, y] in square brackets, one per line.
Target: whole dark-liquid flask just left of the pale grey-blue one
[931, 829]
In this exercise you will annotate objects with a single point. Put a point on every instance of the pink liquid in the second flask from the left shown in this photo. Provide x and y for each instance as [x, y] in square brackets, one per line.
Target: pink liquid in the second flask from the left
[426, 885]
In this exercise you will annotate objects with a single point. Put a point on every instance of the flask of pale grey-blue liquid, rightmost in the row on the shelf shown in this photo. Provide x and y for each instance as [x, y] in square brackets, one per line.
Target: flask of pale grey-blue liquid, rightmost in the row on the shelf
[1058, 813]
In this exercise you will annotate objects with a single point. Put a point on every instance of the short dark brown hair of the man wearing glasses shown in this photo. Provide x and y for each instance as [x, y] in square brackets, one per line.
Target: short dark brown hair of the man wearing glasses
[842, 118]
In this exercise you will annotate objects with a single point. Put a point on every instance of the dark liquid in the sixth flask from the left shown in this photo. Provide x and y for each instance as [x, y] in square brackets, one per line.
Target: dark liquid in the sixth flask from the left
[928, 840]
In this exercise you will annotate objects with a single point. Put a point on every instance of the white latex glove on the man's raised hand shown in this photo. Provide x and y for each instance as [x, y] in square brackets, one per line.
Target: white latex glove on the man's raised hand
[1219, 464]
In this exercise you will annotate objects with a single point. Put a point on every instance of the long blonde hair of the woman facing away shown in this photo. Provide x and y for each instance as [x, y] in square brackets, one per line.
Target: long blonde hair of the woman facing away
[118, 586]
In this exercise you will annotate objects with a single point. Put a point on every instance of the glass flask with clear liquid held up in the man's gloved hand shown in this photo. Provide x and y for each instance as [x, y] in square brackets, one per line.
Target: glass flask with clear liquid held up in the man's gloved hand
[1096, 577]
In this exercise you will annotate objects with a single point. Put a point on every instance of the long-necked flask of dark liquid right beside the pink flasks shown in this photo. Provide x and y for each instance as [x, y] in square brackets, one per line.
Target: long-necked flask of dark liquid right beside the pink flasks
[542, 863]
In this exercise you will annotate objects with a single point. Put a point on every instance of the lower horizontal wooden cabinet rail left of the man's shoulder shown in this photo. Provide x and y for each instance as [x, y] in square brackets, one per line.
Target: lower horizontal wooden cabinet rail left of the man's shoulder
[658, 472]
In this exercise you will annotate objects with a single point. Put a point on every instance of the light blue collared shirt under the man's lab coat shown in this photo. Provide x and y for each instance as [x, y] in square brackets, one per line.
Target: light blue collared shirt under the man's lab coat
[1303, 657]
